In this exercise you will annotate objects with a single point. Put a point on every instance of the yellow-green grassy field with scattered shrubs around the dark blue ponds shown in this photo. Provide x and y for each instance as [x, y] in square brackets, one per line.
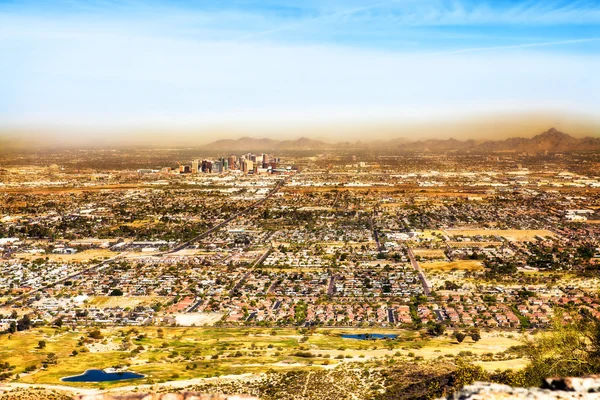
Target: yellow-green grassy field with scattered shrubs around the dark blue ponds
[165, 354]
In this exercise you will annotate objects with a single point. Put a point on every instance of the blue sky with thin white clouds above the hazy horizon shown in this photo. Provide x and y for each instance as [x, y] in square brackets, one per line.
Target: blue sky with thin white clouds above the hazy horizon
[278, 64]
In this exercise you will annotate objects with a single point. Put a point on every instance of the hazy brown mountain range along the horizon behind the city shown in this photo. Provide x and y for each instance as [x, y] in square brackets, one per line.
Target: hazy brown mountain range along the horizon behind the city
[551, 140]
